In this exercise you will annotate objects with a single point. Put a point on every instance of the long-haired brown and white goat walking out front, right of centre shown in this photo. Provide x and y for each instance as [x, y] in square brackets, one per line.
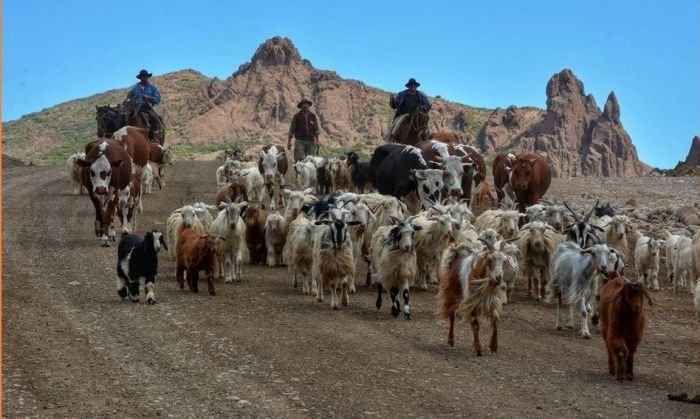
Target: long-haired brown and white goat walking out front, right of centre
[484, 297]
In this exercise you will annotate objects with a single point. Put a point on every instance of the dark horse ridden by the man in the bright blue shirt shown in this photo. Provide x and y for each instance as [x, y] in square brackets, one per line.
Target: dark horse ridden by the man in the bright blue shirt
[110, 119]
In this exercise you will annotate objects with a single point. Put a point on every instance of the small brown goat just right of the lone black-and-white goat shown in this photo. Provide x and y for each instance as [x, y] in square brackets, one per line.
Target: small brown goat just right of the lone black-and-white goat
[195, 252]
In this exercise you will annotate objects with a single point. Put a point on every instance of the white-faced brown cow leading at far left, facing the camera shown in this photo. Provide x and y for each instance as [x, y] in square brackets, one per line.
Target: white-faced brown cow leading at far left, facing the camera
[106, 170]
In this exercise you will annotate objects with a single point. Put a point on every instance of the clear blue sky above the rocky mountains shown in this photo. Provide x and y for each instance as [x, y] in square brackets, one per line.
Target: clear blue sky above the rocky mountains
[477, 53]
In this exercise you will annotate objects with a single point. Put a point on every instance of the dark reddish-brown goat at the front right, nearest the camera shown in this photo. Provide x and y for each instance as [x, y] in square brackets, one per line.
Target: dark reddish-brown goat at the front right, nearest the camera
[622, 323]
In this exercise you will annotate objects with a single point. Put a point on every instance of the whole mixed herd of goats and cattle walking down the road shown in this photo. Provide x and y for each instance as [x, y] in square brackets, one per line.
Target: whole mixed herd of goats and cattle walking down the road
[406, 215]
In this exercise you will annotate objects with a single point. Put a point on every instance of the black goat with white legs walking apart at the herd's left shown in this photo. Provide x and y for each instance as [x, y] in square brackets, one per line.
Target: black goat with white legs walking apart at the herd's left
[138, 257]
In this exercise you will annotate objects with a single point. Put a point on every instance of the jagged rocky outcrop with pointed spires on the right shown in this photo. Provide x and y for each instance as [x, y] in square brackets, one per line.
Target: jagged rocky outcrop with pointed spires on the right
[574, 135]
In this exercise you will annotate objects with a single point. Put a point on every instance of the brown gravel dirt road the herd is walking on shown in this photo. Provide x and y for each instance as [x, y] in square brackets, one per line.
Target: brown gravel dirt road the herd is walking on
[72, 347]
